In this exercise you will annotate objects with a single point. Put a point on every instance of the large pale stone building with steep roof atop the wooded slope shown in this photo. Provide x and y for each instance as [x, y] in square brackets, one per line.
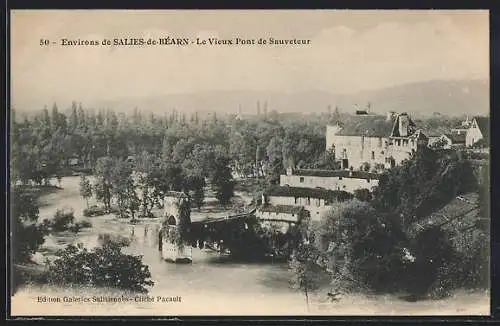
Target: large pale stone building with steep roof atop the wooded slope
[374, 140]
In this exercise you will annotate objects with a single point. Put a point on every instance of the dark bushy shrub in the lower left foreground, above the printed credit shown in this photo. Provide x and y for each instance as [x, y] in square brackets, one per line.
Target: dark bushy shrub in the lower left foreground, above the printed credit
[106, 266]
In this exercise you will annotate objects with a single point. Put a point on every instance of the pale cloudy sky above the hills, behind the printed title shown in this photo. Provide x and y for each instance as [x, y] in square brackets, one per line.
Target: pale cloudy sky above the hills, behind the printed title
[349, 51]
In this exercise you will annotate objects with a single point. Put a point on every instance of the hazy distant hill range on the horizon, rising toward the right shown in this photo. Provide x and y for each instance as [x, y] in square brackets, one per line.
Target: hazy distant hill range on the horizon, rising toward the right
[423, 98]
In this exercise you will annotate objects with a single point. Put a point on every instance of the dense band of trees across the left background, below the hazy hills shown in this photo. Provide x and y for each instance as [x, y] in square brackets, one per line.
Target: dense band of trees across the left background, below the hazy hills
[44, 143]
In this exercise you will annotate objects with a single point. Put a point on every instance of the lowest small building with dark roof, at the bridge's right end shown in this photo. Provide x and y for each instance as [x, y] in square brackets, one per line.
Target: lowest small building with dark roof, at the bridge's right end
[314, 200]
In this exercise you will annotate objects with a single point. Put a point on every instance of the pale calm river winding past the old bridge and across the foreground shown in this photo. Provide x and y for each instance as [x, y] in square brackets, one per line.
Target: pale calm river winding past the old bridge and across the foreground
[211, 285]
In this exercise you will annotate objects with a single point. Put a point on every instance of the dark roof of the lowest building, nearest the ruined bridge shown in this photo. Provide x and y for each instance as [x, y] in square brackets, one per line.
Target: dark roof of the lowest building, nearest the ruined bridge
[285, 191]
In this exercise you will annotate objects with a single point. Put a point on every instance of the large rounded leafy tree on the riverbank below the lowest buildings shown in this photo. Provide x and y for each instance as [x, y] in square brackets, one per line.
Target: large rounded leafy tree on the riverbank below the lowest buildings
[364, 244]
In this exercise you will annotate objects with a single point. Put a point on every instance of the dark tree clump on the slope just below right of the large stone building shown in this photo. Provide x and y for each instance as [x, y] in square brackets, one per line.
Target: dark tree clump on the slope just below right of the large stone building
[423, 184]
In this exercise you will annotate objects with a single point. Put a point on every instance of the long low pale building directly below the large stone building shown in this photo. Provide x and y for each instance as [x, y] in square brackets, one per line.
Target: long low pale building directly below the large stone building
[331, 180]
